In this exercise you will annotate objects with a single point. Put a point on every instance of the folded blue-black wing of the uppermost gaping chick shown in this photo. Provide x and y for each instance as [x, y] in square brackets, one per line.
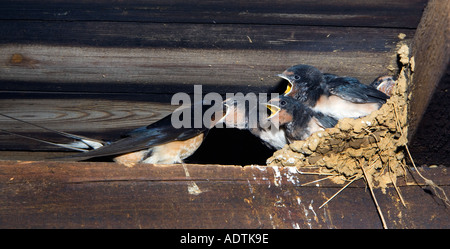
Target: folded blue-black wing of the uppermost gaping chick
[351, 89]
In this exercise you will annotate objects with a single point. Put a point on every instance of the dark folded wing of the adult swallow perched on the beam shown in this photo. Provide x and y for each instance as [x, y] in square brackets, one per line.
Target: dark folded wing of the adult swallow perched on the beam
[158, 133]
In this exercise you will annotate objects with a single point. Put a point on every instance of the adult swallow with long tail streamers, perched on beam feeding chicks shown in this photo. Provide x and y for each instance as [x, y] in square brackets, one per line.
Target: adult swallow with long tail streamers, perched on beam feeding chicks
[157, 143]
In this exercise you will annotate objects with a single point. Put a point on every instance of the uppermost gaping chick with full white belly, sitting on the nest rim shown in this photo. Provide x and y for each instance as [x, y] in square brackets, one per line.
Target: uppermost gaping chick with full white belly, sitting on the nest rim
[338, 97]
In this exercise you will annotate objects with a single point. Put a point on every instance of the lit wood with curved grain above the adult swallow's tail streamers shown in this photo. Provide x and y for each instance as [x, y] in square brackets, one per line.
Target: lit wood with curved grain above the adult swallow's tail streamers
[81, 115]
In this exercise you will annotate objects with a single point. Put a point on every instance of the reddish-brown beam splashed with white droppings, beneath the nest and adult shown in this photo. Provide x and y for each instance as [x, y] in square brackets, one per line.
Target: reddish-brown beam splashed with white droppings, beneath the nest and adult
[106, 195]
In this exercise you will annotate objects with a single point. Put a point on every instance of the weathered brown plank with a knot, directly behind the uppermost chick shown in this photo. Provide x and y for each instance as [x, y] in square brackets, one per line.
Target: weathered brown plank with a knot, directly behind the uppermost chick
[150, 70]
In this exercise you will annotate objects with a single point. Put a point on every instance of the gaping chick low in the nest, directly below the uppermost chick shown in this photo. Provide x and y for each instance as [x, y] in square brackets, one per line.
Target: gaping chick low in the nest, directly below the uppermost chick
[298, 120]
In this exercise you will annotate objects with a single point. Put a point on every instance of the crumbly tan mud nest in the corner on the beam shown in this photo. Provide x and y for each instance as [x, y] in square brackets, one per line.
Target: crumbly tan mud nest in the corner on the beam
[371, 147]
